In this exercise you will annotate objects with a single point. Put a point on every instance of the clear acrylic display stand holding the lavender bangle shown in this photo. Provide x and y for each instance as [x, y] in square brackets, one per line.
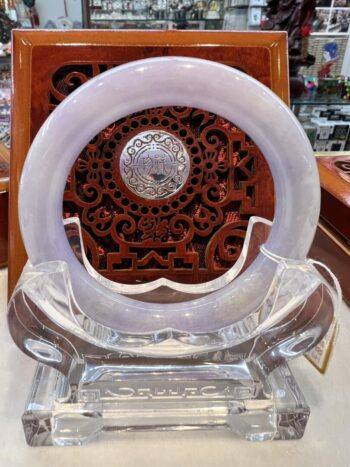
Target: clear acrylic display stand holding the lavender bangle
[92, 379]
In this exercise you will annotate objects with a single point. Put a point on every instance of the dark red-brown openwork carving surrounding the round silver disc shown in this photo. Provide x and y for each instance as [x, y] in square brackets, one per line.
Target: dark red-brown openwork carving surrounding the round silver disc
[193, 232]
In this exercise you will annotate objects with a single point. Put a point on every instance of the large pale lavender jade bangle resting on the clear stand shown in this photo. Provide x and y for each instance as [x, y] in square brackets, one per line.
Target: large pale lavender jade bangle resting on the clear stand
[170, 81]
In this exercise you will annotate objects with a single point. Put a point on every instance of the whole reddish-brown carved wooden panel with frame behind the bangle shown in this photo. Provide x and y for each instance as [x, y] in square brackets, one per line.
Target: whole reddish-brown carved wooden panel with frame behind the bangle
[194, 234]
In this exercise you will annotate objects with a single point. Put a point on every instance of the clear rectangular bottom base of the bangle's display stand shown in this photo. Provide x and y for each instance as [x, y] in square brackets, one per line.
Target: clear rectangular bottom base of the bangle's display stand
[101, 398]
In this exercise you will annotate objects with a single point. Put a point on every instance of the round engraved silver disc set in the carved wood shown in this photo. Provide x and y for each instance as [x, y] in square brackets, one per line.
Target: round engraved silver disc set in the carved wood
[154, 164]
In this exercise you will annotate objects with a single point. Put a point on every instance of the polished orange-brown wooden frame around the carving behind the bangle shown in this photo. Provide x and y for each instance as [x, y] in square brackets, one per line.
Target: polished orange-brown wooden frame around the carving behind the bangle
[37, 55]
